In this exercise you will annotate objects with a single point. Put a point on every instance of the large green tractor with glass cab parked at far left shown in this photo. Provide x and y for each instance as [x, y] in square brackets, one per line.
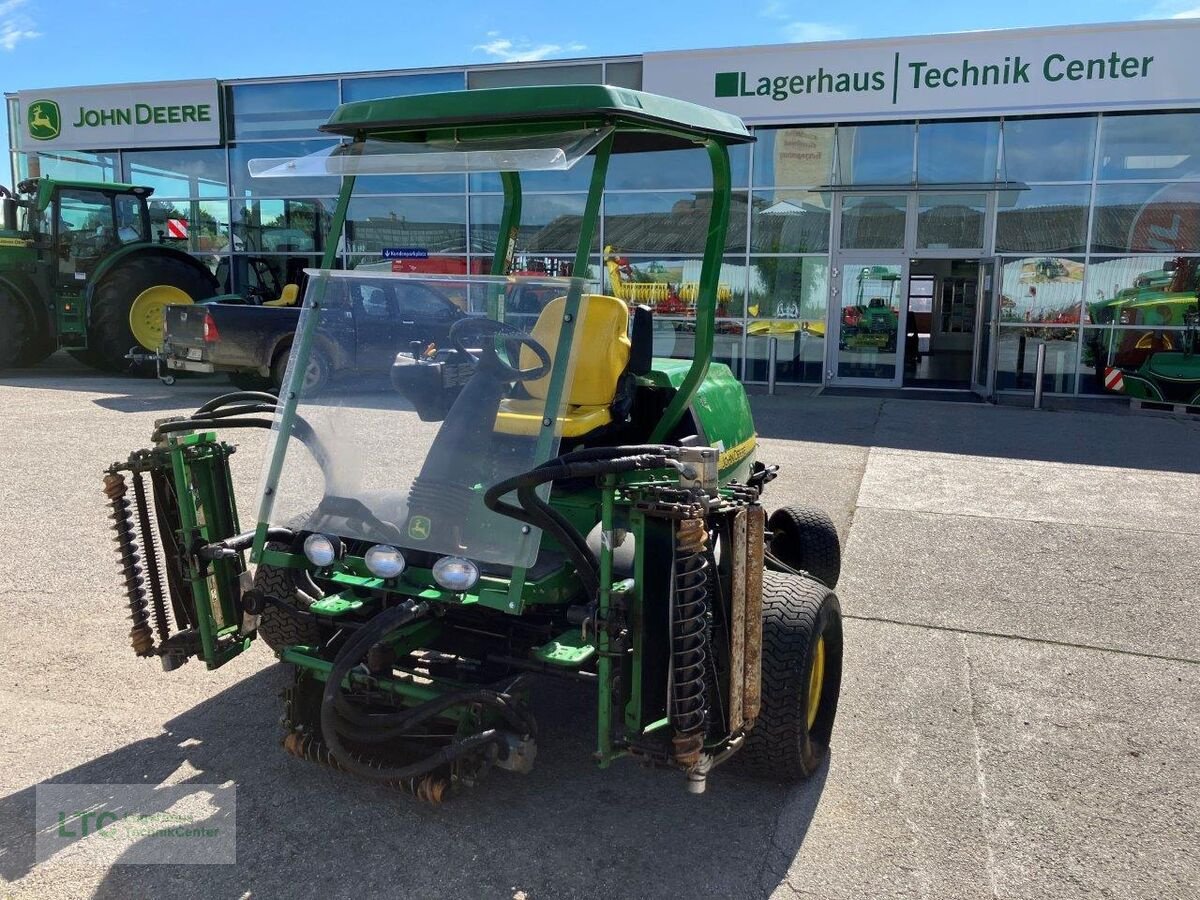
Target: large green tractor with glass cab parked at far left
[80, 269]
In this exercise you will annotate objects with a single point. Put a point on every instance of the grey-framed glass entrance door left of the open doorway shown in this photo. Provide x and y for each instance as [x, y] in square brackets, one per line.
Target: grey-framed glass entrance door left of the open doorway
[868, 320]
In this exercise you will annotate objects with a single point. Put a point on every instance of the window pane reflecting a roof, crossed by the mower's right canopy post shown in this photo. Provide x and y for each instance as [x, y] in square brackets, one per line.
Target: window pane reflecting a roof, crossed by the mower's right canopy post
[669, 223]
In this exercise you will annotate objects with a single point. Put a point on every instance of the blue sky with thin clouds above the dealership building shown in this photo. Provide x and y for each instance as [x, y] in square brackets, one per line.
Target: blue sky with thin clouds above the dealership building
[50, 44]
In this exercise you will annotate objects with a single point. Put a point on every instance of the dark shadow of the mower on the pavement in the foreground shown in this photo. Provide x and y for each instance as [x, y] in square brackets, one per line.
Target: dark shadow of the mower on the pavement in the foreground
[566, 831]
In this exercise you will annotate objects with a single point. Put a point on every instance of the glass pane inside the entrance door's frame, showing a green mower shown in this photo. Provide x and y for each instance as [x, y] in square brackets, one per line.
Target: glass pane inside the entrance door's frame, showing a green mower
[869, 322]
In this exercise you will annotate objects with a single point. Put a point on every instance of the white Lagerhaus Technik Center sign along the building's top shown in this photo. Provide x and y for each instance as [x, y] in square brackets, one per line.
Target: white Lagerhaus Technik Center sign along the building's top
[1094, 68]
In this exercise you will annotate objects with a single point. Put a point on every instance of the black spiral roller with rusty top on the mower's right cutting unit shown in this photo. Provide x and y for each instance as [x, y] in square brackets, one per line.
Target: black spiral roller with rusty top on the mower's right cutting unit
[689, 711]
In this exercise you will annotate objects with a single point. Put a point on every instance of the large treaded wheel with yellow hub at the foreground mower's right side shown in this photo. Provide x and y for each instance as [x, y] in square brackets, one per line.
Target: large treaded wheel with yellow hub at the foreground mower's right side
[801, 677]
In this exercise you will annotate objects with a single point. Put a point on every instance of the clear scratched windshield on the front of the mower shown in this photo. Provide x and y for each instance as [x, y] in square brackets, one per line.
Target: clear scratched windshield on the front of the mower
[419, 393]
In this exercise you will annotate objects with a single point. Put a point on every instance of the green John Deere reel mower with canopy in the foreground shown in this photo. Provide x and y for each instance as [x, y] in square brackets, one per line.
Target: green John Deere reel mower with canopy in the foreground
[581, 511]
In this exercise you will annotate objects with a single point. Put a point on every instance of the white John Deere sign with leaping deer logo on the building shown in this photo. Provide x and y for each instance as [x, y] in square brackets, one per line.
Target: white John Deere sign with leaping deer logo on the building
[171, 115]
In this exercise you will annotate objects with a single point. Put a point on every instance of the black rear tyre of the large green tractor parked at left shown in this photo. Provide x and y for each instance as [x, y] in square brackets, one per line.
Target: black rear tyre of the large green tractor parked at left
[110, 333]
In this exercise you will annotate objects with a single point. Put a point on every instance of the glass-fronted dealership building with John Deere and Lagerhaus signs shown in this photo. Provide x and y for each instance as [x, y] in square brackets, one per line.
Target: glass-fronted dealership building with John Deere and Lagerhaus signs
[919, 213]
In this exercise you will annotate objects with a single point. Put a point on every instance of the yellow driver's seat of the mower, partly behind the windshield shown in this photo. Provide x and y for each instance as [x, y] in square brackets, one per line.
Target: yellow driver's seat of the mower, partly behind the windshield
[602, 357]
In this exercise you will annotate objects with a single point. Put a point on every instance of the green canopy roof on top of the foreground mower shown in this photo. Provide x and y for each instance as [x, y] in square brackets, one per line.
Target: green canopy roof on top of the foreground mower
[644, 122]
